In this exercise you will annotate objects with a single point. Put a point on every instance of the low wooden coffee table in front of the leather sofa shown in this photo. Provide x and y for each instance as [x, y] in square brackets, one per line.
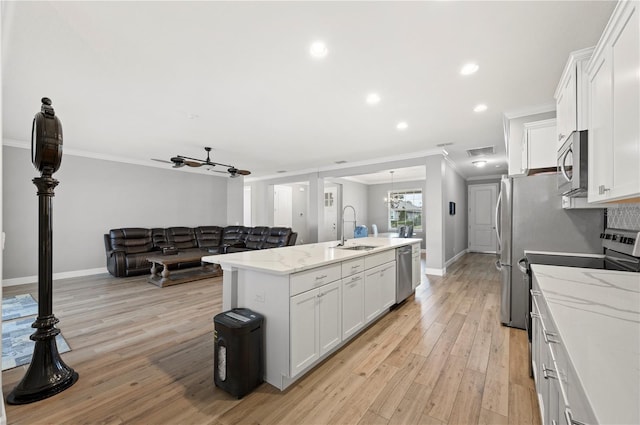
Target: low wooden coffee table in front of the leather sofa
[167, 278]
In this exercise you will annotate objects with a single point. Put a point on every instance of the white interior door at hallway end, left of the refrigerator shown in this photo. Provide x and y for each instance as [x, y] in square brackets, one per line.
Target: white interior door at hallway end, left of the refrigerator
[482, 203]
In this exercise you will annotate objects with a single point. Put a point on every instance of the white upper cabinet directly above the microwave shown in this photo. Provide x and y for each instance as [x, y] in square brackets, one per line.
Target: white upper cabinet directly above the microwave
[572, 96]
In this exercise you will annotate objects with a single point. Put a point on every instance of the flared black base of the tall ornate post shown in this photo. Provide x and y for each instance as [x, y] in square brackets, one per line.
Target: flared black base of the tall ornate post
[47, 375]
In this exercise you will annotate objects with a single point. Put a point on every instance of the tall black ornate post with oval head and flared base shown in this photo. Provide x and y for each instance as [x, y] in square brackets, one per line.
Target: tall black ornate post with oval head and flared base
[47, 374]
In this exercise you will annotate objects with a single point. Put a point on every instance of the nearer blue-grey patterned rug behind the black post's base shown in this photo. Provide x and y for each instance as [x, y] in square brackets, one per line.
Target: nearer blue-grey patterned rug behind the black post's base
[17, 348]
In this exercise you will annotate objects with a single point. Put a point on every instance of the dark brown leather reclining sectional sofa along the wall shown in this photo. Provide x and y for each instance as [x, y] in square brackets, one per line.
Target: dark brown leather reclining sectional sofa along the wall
[128, 248]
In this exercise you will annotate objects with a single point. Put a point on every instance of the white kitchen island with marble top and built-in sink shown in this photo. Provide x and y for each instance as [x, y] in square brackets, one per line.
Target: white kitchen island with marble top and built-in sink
[314, 297]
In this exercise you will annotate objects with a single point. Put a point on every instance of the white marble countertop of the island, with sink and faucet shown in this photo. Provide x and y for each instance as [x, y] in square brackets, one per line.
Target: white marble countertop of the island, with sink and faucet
[292, 259]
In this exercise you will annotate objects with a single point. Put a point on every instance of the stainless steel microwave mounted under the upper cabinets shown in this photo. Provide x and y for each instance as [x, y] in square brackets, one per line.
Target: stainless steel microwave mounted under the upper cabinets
[572, 165]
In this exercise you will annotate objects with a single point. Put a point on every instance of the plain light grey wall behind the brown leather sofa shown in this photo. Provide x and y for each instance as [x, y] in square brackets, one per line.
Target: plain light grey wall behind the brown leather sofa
[94, 196]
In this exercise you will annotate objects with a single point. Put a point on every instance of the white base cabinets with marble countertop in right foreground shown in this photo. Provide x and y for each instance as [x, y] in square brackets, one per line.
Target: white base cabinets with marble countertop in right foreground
[586, 344]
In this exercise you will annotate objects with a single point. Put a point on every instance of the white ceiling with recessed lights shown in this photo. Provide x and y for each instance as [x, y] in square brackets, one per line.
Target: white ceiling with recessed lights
[133, 81]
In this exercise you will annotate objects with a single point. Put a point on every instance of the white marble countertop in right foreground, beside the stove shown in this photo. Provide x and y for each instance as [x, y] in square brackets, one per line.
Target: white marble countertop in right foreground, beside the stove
[597, 313]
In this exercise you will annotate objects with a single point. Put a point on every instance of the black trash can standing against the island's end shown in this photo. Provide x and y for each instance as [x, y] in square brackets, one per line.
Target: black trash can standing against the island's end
[239, 346]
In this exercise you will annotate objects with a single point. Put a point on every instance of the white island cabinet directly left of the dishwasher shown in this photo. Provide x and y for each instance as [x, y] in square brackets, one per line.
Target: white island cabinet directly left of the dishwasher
[379, 290]
